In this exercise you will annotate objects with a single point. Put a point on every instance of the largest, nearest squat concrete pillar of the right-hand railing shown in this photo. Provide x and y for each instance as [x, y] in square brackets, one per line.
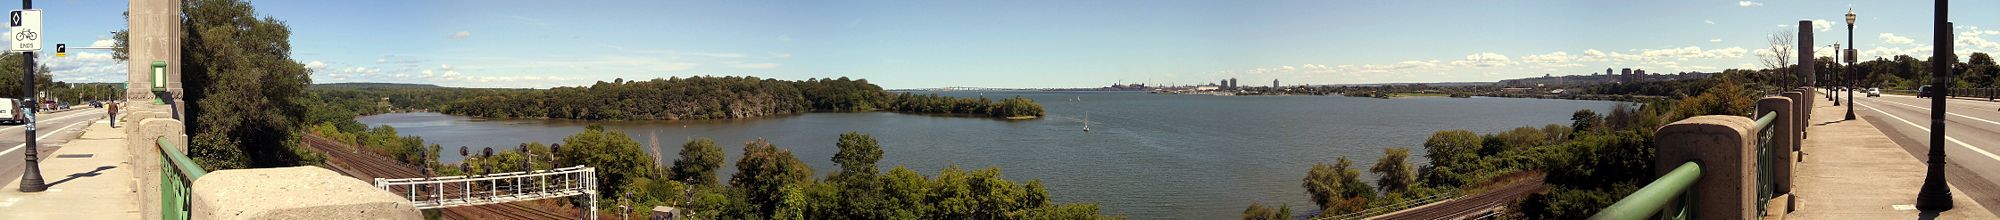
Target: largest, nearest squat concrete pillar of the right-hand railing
[1723, 145]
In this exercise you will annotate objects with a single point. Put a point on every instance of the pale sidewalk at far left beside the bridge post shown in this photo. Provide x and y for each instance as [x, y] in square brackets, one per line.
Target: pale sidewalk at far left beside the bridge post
[89, 179]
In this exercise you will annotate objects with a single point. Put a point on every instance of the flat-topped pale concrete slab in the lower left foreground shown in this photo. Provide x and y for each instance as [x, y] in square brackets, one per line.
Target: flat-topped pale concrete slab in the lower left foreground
[299, 193]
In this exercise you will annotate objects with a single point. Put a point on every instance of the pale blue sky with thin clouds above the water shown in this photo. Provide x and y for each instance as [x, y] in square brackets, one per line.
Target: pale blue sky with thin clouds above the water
[1037, 43]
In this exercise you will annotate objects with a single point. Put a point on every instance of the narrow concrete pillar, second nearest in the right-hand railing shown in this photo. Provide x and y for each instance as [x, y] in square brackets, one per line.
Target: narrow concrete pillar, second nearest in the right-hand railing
[1783, 141]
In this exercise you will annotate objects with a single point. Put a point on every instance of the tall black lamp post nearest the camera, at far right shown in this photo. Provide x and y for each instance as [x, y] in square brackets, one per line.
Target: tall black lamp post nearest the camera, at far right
[1937, 197]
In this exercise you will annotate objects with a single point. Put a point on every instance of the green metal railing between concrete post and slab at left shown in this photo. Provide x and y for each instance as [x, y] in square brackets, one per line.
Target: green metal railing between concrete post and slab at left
[177, 181]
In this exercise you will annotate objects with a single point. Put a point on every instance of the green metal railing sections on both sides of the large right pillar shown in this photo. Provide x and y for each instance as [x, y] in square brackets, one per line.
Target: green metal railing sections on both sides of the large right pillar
[1659, 197]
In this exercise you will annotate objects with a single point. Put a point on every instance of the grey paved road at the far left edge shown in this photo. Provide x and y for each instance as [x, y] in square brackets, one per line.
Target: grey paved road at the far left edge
[51, 133]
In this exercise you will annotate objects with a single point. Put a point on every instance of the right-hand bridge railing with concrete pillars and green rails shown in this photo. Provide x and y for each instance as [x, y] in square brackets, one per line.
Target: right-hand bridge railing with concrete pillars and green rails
[1723, 167]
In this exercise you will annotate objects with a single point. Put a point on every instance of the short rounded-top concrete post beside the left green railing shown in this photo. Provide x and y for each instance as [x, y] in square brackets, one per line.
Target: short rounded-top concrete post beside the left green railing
[147, 157]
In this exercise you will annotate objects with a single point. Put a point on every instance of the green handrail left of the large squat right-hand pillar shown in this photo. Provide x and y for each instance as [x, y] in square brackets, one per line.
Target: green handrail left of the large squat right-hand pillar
[1655, 197]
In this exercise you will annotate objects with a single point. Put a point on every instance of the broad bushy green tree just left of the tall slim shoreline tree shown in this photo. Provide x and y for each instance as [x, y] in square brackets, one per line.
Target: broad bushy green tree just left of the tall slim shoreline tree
[765, 171]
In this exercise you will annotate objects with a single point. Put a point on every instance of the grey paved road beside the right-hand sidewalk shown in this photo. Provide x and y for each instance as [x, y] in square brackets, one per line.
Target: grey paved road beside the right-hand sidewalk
[1971, 129]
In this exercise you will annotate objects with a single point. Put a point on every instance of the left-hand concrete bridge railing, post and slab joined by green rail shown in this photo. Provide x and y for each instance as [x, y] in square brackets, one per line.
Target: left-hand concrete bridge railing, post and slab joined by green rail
[177, 189]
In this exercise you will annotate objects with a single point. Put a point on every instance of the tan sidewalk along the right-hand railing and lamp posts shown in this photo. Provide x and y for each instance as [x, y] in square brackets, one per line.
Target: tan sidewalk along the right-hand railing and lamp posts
[1853, 171]
